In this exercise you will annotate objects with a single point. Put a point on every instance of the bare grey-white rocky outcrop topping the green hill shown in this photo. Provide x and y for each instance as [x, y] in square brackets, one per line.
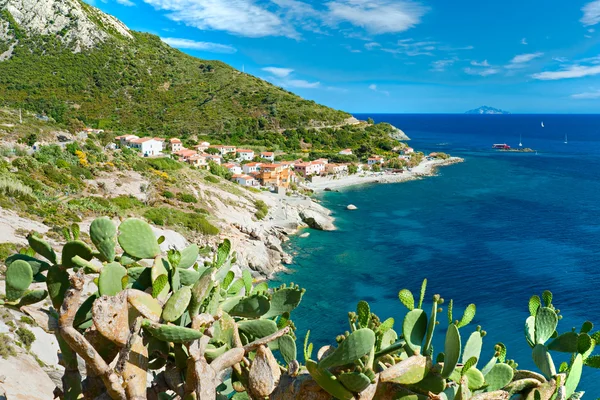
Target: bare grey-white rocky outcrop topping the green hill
[75, 23]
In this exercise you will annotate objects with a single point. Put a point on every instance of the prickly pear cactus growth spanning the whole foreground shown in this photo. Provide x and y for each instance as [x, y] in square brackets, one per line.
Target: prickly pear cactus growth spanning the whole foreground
[198, 321]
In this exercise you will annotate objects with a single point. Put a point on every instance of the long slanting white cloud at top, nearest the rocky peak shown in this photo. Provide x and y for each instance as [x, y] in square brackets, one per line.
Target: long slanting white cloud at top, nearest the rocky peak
[239, 17]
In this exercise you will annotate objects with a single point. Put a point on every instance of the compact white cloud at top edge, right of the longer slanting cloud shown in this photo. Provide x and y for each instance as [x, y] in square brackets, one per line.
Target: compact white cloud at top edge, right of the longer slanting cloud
[376, 16]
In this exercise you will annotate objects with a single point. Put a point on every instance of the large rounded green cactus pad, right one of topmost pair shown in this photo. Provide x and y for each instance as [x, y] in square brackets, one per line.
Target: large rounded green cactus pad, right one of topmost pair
[137, 239]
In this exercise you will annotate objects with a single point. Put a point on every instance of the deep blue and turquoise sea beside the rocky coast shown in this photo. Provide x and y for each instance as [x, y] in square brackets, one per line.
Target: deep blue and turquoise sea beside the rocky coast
[493, 231]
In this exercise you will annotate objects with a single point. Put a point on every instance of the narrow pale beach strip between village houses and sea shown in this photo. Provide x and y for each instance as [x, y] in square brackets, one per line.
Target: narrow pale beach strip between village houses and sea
[425, 168]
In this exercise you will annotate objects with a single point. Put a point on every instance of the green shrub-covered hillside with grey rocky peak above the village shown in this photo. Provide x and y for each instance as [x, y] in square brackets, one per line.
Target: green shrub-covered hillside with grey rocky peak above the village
[70, 61]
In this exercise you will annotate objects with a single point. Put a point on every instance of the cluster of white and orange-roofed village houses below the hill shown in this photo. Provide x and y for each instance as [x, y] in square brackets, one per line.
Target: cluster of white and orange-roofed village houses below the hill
[257, 169]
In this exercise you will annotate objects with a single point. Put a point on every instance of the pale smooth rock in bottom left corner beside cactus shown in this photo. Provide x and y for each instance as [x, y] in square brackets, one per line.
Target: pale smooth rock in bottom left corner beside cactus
[25, 379]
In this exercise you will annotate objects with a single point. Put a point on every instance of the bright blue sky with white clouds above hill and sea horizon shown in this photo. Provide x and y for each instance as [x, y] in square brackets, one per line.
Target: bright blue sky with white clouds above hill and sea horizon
[526, 56]
